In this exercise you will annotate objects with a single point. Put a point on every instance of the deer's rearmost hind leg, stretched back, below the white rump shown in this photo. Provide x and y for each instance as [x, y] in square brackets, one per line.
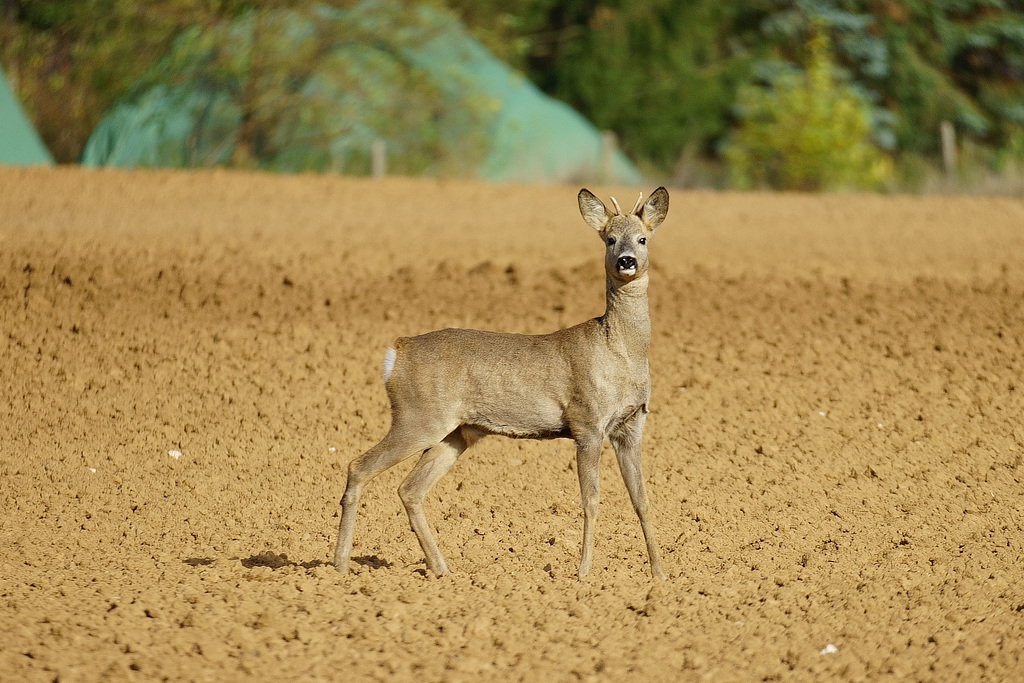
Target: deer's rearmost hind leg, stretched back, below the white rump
[401, 443]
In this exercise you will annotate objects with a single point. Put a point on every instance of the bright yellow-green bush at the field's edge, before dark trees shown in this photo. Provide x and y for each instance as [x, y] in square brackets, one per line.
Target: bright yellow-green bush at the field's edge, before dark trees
[807, 132]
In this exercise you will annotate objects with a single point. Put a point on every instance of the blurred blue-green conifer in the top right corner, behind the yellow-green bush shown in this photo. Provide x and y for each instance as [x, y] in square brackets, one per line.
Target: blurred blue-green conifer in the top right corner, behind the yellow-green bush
[920, 63]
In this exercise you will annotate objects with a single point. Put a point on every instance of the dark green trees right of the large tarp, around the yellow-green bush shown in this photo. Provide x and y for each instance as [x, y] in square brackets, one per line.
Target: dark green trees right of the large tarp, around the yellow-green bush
[667, 74]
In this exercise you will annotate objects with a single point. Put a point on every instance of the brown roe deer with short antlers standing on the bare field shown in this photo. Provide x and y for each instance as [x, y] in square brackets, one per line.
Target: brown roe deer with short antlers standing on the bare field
[589, 383]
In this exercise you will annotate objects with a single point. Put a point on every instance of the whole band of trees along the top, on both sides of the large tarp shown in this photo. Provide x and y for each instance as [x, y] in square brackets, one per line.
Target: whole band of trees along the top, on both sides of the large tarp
[665, 75]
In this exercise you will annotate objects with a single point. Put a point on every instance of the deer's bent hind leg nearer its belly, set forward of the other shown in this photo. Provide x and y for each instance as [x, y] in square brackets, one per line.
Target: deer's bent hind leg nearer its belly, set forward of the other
[433, 466]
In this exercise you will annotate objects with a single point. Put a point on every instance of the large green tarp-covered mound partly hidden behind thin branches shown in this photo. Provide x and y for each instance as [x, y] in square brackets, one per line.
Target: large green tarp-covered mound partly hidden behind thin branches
[528, 137]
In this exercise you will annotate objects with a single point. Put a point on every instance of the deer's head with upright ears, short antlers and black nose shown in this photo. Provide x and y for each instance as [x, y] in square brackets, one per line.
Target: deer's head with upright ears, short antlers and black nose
[625, 235]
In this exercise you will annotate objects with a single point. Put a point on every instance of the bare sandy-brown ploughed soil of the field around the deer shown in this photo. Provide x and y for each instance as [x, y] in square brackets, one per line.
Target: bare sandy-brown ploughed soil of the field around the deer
[834, 457]
